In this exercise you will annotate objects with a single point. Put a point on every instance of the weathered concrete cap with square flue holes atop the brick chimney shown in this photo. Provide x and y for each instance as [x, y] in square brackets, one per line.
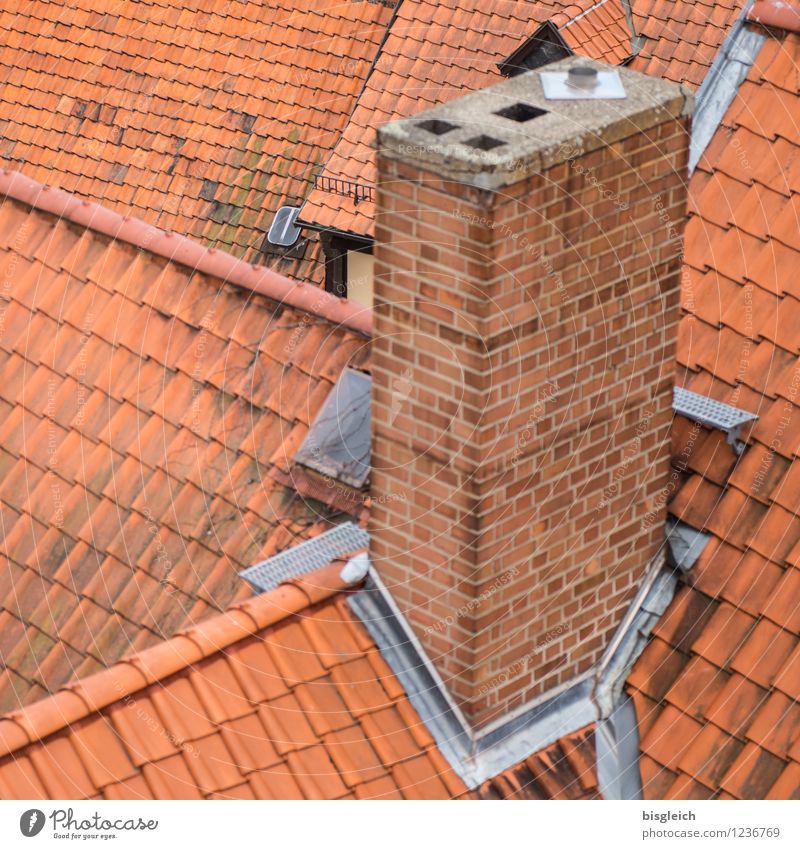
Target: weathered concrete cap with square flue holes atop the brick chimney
[501, 134]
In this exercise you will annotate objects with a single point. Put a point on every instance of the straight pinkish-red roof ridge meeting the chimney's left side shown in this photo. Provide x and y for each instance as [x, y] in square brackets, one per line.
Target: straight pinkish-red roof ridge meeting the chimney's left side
[185, 251]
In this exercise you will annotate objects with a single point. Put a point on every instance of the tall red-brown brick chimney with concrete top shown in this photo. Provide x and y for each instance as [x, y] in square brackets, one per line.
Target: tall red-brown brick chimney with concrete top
[528, 255]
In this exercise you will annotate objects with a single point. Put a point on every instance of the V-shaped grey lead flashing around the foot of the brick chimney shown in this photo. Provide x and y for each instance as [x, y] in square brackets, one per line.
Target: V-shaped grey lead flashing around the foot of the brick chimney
[597, 696]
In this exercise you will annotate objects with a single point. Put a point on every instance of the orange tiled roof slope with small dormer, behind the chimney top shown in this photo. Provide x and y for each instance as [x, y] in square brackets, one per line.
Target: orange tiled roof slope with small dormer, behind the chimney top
[434, 52]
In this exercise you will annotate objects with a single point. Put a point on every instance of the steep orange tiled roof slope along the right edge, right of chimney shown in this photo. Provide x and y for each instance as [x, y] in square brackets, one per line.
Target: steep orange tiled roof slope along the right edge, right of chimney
[717, 688]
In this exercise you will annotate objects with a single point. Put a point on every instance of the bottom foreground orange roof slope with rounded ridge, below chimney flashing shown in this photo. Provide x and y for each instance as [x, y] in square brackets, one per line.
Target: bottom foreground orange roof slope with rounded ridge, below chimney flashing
[284, 696]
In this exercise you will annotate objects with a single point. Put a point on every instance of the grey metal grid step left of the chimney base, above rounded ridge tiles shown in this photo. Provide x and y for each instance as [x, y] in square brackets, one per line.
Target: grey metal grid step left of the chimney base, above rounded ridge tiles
[306, 557]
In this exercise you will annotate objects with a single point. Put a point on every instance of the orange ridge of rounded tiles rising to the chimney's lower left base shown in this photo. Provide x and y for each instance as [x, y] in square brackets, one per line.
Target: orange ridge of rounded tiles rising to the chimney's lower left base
[90, 695]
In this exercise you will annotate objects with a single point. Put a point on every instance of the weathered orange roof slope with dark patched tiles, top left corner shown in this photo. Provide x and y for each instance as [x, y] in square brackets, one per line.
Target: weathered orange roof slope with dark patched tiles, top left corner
[200, 118]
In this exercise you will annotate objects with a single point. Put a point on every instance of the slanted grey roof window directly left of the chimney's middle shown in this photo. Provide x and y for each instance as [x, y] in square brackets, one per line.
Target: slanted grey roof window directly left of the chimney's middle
[338, 444]
